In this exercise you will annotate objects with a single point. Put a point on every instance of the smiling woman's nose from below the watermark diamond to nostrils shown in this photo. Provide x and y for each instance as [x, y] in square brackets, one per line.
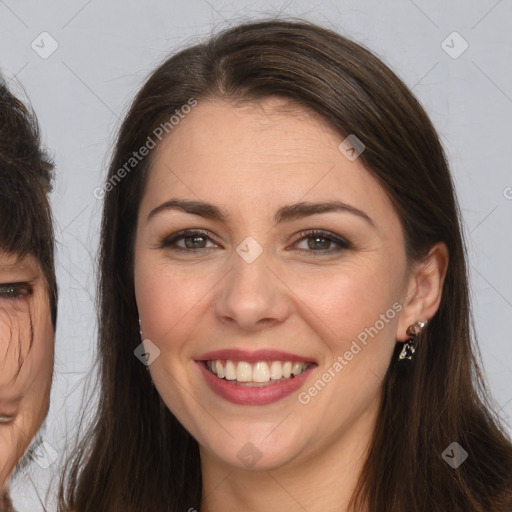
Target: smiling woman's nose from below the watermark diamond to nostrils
[252, 296]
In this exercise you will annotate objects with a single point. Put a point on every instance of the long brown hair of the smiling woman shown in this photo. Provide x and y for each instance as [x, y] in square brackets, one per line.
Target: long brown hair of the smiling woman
[136, 456]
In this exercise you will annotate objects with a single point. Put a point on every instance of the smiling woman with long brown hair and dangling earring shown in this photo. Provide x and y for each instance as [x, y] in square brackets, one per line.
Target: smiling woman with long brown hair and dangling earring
[281, 232]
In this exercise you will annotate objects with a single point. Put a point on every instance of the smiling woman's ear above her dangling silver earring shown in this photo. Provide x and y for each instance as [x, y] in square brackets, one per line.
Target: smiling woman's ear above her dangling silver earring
[424, 289]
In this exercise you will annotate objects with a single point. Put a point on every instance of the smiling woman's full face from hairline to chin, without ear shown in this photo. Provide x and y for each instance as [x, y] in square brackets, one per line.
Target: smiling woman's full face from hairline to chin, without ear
[258, 302]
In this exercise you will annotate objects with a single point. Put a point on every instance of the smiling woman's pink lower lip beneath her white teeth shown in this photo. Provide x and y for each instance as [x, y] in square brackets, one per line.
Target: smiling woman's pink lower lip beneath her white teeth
[247, 395]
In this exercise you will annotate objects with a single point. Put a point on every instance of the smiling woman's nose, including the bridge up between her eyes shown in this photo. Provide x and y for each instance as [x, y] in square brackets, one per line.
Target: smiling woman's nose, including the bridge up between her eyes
[251, 294]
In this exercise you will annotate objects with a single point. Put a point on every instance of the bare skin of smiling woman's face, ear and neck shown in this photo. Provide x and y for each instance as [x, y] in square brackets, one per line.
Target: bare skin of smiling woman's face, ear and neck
[251, 160]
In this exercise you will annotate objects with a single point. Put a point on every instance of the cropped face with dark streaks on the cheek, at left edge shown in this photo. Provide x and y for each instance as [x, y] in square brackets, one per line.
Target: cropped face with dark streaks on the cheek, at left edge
[26, 357]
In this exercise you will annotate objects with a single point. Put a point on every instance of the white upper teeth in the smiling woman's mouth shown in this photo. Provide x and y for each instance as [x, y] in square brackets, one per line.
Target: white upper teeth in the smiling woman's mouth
[261, 371]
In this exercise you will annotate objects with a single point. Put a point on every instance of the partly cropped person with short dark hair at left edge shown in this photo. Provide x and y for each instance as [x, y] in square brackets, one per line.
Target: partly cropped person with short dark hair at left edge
[28, 291]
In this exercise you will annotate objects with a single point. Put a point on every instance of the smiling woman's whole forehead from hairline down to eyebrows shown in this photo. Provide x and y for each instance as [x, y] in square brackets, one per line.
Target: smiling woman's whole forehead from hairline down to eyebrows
[267, 153]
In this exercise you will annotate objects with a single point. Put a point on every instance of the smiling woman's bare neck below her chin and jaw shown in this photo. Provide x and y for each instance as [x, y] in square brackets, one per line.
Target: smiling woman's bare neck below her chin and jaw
[324, 482]
